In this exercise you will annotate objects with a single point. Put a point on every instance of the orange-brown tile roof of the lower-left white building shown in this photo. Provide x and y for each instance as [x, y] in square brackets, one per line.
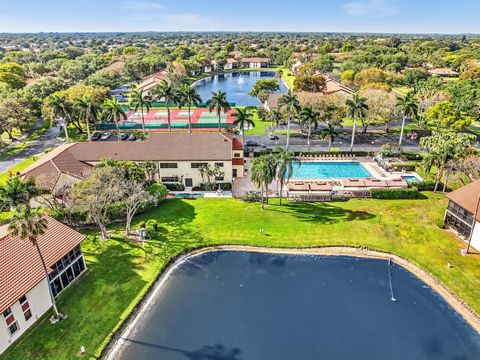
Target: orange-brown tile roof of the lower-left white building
[20, 266]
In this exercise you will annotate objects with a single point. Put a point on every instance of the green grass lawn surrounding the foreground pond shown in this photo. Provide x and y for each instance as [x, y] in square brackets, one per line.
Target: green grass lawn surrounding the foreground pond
[120, 271]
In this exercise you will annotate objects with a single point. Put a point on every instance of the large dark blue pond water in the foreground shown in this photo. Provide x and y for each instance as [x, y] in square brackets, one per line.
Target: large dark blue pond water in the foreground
[227, 305]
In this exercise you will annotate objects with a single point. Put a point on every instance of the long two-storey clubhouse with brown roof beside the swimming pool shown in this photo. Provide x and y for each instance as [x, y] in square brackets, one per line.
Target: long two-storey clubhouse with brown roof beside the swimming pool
[179, 157]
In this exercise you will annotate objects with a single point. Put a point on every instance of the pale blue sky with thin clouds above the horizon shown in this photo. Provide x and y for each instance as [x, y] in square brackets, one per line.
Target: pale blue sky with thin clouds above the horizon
[412, 16]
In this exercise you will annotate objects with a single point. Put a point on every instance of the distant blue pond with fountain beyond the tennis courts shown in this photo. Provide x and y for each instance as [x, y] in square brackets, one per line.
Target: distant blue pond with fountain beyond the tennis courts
[237, 85]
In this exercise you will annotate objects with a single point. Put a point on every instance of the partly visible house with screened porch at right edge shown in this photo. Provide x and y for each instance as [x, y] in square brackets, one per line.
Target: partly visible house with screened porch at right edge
[463, 213]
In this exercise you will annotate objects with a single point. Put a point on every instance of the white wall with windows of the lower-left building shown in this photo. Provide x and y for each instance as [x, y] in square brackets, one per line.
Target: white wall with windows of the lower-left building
[39, 300]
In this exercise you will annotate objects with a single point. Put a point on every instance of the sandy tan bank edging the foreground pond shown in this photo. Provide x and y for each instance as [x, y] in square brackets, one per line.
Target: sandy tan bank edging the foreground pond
[115, 345]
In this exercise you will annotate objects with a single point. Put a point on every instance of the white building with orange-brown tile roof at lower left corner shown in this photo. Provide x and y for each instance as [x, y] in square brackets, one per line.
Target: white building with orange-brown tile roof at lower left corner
[24, 295]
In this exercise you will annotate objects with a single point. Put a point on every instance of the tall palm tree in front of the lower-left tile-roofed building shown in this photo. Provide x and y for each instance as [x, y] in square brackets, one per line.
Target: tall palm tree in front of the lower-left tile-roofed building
[30, 224]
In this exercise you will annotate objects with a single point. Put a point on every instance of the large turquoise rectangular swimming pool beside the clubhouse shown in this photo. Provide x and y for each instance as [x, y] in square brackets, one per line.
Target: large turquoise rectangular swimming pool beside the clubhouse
[329, 170]
